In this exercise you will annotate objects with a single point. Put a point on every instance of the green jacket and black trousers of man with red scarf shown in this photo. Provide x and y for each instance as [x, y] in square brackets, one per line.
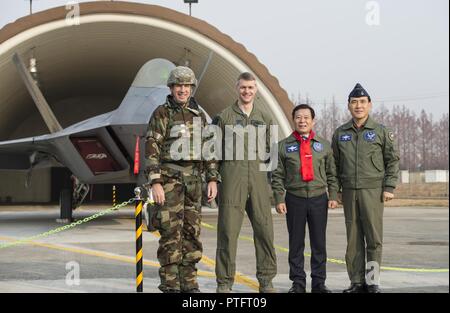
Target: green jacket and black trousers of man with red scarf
[307, 203]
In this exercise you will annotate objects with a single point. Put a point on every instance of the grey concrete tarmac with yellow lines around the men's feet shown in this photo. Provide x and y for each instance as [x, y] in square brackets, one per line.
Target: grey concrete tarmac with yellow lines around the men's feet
[101, 253]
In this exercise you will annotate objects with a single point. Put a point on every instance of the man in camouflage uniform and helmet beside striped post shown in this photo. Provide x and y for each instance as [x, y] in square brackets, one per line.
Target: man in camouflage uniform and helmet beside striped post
[176, 183]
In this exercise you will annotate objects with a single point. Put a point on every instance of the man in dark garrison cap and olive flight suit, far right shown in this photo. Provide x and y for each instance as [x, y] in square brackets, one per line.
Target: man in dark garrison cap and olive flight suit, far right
[367, 164]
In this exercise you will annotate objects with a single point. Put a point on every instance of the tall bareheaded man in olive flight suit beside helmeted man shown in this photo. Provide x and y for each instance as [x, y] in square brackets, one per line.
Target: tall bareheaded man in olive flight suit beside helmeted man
[244, 188]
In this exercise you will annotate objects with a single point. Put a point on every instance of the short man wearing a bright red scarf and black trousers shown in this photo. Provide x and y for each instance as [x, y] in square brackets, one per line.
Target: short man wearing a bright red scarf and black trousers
[306, 171]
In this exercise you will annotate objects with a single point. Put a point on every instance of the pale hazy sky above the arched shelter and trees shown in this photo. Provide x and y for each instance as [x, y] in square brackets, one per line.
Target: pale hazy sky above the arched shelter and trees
[321, 48]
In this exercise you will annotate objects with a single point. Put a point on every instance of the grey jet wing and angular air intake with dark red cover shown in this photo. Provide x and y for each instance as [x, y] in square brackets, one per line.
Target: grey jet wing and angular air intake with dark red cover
[88, 149]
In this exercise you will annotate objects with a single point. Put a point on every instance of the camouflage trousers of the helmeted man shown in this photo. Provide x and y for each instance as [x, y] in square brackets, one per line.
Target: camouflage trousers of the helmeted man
[178, 222]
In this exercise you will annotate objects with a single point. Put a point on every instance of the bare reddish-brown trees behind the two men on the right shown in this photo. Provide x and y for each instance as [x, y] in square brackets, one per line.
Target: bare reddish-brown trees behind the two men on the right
[422, 141]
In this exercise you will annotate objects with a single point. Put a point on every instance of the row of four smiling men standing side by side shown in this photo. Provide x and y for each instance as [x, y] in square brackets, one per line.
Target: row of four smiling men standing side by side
[360, 168]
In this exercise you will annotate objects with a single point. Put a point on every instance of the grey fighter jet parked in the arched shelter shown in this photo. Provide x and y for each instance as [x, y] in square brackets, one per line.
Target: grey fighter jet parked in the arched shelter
[104, 149]
